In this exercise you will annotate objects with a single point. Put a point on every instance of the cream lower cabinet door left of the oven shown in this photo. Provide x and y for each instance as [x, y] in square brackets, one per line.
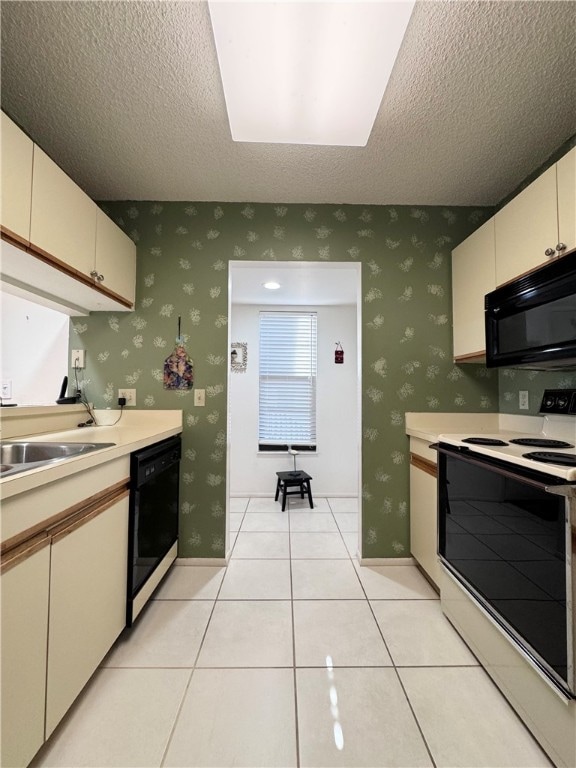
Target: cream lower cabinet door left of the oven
[424, 521]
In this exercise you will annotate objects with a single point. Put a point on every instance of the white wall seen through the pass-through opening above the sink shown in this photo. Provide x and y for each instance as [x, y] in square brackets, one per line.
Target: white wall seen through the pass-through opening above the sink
[34, 351]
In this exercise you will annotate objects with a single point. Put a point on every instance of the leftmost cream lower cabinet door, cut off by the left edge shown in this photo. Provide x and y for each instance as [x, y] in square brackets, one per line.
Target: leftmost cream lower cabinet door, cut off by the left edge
[24, 636]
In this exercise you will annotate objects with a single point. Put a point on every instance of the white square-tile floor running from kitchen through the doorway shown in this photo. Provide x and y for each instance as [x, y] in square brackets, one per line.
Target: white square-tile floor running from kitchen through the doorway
[293, 655]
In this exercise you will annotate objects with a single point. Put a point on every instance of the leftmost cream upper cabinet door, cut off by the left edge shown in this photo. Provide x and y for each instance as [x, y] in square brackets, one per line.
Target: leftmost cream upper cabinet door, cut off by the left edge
[17, 151]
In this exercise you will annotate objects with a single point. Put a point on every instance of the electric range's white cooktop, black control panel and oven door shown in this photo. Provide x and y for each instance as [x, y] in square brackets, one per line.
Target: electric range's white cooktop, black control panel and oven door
[507, 532]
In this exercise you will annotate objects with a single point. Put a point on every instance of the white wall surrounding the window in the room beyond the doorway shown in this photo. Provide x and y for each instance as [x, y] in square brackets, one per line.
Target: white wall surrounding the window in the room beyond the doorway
[334, 467]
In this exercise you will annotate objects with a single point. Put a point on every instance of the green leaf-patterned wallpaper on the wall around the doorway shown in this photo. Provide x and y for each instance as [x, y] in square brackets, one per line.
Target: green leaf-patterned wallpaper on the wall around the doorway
[183, 254]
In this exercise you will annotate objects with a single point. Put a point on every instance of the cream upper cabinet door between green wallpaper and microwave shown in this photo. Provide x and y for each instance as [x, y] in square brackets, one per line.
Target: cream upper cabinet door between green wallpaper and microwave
[473, 276]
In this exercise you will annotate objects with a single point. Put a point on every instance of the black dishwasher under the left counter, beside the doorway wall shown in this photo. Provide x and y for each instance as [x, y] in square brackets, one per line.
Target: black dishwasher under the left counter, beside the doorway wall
[153, 531]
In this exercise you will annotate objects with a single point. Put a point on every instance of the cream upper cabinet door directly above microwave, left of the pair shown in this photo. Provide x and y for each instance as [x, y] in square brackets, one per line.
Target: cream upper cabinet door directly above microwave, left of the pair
[526, 228]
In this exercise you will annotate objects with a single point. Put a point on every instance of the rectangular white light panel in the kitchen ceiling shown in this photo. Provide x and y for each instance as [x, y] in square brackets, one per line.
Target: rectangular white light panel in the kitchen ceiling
[306, 72]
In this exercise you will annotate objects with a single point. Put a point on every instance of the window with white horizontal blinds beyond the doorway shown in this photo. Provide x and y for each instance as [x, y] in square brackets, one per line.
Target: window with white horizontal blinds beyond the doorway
[288, 366]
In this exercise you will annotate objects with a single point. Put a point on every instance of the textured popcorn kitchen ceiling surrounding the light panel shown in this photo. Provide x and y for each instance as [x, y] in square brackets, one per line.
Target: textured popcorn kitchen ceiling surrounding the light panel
[126, 97]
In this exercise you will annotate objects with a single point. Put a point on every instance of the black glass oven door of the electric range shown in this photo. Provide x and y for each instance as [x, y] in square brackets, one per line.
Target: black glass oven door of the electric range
[505, 536]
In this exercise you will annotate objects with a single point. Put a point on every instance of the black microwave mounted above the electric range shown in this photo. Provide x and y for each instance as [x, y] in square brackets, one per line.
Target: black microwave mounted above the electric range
[531, 321]
